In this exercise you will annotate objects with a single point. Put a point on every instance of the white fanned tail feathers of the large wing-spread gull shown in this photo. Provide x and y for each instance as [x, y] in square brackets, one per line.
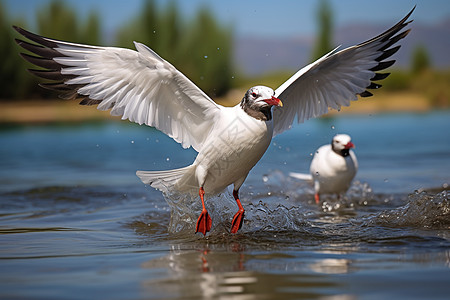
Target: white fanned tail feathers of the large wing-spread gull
[169, 179]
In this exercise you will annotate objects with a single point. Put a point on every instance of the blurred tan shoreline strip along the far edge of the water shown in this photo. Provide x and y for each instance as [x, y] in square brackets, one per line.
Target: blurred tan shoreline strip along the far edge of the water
[56, 110]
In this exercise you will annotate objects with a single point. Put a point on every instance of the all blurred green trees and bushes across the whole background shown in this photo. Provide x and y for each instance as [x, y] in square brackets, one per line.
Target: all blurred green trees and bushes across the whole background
[200, 47]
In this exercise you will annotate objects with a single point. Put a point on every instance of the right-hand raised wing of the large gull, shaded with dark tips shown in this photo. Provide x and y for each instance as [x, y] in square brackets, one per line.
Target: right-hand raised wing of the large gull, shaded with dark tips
[337, 78]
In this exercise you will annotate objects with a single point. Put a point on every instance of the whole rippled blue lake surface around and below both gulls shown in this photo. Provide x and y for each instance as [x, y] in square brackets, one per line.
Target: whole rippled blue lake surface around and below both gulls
[76, 223]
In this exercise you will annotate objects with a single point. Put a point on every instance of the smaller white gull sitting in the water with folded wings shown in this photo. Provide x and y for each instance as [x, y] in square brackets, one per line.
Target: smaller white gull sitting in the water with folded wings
[333, 167]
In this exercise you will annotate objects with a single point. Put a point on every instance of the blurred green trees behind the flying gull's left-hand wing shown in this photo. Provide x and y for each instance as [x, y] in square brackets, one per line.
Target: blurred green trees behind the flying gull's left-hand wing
[201, 48]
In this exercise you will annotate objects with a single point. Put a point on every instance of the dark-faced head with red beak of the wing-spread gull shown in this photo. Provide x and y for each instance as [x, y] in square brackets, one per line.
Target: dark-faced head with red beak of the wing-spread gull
[258, 101]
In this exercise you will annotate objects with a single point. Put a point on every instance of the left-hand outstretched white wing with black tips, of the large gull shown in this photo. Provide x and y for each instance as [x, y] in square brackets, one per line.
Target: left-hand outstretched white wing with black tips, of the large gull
[137, 85]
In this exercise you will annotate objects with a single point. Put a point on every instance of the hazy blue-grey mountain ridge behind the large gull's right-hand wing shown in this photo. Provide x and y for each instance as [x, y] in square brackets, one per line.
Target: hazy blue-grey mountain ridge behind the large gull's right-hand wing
[259, 55]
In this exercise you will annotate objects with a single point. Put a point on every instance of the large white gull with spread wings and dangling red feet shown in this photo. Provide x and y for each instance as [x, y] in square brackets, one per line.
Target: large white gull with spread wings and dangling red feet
[146, 89]
